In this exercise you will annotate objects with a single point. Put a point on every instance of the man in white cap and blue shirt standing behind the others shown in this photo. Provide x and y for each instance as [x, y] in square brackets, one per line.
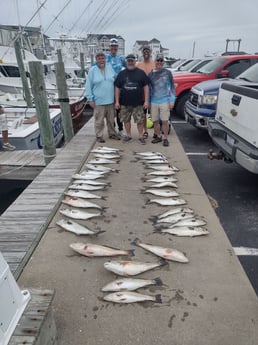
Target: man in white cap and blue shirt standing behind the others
[118, 62]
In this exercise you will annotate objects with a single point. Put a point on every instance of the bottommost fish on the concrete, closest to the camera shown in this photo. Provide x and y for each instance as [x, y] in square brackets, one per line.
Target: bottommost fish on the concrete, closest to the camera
[131, 297]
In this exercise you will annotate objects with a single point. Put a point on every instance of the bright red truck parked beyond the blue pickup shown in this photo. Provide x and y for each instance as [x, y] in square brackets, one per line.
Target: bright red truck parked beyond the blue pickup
[221, 67]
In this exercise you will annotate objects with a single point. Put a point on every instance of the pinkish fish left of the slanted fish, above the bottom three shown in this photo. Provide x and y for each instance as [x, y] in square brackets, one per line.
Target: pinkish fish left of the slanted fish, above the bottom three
[90, 249]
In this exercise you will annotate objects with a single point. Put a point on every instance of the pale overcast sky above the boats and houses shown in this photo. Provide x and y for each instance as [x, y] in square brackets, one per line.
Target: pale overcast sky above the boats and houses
[187, 28]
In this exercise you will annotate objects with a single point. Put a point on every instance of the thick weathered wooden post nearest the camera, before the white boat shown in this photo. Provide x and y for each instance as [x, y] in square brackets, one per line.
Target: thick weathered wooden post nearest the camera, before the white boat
[40, 96]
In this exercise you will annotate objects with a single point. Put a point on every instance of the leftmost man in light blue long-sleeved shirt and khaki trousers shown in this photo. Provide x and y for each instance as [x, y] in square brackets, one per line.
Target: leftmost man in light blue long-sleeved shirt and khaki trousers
[99, 91]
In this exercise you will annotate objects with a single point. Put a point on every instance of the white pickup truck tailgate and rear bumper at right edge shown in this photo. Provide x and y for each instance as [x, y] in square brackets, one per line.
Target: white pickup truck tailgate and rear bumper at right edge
[235, 127]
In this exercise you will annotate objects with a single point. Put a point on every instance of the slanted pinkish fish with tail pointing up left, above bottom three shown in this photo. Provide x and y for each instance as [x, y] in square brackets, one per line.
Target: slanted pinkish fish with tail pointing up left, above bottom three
[165, 253]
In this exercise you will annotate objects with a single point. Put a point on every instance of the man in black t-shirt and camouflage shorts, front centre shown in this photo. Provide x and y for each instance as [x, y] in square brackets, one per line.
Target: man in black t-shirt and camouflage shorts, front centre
[131, 96]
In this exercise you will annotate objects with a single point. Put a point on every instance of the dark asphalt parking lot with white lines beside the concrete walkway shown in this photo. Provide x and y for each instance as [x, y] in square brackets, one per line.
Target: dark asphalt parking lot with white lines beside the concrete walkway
[233, 192]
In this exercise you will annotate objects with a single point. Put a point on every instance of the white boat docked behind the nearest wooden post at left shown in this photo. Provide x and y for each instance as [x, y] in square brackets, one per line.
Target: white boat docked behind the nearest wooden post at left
[23, 128]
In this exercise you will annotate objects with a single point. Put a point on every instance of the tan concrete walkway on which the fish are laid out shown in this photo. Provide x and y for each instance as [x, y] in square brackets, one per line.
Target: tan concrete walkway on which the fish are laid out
[206, 301]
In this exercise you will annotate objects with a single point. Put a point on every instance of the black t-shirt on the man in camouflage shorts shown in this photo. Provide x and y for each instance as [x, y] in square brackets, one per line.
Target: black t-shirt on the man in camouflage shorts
[131, 84]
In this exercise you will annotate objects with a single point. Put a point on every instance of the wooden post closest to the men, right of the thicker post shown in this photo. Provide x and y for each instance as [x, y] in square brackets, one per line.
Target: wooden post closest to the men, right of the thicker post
[64, 101]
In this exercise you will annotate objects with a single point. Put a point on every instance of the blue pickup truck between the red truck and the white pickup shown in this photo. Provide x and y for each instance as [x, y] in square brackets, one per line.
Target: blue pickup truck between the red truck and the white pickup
[202, 102]
